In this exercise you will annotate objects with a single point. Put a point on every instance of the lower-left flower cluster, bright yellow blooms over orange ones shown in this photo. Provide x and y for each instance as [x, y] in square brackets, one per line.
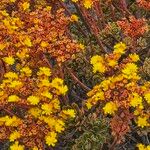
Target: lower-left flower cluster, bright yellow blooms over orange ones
[38, 102]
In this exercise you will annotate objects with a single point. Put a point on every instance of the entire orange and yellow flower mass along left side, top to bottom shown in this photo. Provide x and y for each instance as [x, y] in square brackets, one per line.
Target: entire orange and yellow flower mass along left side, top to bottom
[32, 113]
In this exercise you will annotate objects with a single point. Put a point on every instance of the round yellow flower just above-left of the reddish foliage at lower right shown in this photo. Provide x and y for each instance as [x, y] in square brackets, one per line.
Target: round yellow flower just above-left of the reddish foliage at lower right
[110, 108]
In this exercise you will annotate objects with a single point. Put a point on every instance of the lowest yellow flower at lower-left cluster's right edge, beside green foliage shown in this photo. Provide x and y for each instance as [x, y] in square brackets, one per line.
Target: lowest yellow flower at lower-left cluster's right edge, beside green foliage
[51, 139]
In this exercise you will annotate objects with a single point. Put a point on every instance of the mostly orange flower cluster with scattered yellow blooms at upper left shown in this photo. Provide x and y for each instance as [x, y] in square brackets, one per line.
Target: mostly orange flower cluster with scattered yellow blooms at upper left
[36, 31]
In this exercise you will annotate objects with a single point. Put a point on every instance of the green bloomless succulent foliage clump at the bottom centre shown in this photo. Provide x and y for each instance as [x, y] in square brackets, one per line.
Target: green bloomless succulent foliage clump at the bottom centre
[94, 135]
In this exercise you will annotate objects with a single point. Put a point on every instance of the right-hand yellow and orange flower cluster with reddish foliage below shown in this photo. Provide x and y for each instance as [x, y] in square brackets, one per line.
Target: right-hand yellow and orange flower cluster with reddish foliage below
[120, 90]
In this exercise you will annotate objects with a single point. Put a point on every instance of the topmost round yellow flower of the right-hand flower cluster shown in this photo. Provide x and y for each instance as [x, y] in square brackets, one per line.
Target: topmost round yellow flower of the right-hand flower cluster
[120, 48]
